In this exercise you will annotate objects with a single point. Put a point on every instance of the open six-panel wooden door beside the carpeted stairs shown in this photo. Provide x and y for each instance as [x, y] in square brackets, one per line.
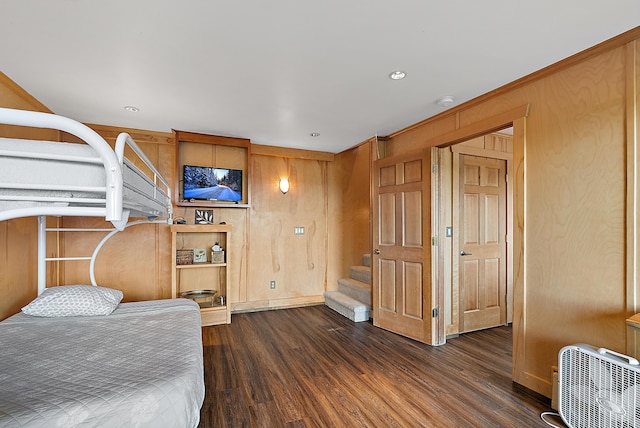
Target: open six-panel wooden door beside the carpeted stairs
[401, 264]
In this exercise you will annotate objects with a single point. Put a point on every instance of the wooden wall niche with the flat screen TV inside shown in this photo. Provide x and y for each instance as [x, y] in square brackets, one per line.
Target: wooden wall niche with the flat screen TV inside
[207, 157]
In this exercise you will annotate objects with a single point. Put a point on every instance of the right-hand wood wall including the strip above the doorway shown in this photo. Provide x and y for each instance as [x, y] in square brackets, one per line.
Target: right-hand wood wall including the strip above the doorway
[574, 285]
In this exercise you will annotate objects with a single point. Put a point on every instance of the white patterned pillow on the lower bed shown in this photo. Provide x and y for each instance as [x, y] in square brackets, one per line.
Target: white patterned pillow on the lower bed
[74, 300]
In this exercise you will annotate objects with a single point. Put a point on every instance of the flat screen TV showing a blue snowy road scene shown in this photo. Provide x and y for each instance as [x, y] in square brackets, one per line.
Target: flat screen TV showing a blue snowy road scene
[212, 184]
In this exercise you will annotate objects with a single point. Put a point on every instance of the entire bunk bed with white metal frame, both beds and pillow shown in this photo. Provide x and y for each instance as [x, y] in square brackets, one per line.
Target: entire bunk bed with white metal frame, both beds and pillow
[76, 355]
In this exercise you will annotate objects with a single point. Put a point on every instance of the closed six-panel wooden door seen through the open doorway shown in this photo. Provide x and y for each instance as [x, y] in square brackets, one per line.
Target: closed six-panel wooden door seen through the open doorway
[482, 259]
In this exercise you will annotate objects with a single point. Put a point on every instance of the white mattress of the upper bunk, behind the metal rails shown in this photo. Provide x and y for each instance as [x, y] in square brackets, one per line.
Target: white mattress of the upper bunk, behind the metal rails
[37, 173]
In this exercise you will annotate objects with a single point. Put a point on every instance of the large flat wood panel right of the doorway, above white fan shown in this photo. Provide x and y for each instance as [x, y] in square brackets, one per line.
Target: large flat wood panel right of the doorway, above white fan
[575, 217]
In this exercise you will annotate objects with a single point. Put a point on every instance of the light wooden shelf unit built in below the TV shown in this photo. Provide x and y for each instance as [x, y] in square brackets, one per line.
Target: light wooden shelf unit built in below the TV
[204, 275]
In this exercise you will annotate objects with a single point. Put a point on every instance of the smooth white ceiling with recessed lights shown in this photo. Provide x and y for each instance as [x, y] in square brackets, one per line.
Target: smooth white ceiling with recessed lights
[275, 71]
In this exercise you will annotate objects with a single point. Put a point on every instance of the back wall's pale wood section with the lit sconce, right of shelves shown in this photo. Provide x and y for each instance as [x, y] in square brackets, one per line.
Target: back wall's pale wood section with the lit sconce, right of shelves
[296, 262]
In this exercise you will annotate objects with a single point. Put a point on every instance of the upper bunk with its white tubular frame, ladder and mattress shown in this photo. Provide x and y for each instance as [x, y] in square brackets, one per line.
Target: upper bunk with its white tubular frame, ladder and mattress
[65, 179]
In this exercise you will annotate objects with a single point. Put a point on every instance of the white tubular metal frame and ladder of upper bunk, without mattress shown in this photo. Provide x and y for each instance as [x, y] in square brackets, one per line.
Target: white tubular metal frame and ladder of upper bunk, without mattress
[110, 207]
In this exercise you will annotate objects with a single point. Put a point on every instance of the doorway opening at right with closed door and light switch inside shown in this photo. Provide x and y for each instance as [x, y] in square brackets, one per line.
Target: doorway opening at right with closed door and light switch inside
[473, 205]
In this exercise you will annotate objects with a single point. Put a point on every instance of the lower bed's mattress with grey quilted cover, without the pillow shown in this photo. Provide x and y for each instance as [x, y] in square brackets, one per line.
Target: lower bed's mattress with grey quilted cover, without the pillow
[141, 366]
